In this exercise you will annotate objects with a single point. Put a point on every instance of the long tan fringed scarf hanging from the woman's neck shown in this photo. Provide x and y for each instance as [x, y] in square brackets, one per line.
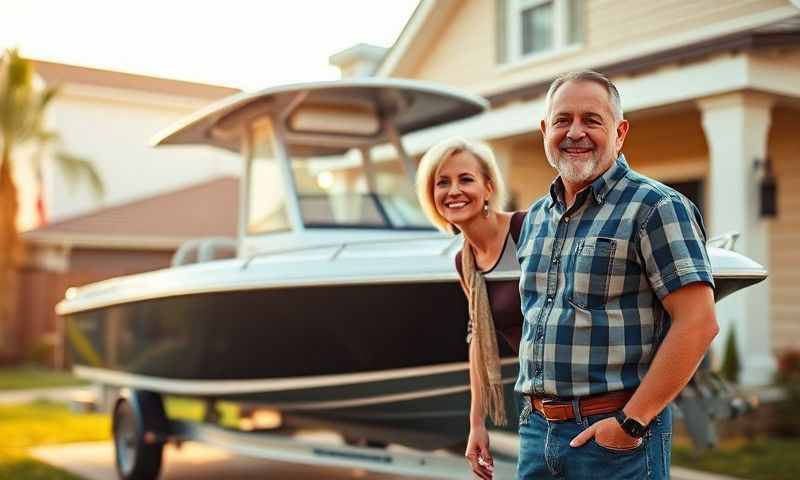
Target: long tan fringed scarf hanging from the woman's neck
[484, 357]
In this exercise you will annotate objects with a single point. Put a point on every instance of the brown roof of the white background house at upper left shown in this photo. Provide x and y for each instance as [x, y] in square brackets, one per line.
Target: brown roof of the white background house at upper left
[59, 73]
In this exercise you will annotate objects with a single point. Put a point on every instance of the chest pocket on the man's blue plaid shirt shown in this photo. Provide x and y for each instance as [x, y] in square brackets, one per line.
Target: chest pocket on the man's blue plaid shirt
[591, 272]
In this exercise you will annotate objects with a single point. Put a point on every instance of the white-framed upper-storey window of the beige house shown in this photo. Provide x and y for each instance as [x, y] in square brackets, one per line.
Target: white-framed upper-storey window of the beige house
[536, 27]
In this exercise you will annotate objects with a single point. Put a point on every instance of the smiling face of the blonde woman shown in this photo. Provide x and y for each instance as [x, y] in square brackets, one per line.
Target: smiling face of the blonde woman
[460, 188]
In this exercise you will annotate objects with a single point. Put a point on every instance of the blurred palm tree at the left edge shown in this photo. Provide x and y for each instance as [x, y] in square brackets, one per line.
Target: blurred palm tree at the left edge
[23, 103]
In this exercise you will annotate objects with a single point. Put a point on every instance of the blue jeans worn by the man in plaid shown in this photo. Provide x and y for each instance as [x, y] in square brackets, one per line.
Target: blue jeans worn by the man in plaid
[544, 450]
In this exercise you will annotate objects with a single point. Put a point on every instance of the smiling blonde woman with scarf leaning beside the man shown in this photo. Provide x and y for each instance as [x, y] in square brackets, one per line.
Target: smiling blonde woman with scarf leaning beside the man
[460, 189]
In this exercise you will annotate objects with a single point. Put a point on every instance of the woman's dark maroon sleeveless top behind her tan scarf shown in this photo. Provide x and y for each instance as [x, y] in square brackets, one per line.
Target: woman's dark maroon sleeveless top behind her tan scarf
[502, 288]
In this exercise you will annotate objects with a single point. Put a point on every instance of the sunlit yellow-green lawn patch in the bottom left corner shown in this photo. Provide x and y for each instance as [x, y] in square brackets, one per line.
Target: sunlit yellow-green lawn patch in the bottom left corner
[43, 423]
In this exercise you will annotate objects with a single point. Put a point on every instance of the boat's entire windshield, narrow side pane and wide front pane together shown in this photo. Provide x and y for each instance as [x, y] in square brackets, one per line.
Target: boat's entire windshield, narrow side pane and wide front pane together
[333, 191]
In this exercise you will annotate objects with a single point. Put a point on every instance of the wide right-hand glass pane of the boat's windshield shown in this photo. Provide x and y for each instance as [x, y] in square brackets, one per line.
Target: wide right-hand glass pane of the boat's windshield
[343, 191]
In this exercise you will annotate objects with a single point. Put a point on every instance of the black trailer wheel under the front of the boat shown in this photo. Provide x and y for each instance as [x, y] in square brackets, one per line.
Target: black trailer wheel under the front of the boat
[136, 416]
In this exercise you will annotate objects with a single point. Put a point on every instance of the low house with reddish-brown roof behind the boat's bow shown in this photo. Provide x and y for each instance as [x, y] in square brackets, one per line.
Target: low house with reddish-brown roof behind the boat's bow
[134, 237]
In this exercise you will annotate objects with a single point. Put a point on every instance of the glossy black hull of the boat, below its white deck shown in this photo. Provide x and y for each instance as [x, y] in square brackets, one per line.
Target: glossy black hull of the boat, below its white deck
[388, 359]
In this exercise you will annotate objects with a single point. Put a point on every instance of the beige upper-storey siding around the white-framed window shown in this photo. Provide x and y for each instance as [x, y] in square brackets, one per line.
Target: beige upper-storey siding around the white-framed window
[463, 53]
